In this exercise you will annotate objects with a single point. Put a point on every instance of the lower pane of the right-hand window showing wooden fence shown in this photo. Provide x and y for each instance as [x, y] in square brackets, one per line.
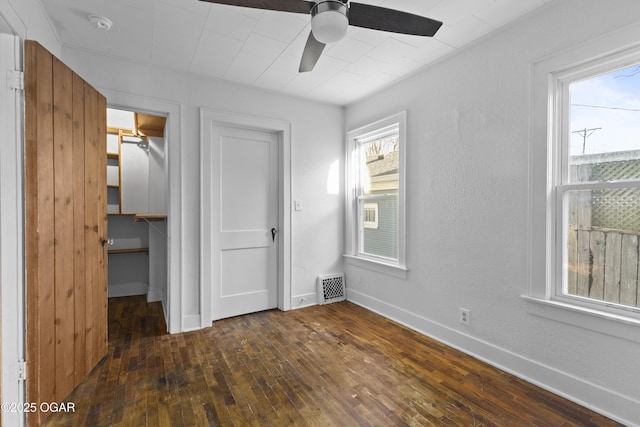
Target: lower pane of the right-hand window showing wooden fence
[601, 250]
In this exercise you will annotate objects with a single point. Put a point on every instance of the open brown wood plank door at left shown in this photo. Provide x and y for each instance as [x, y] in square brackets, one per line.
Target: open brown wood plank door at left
[65, 192]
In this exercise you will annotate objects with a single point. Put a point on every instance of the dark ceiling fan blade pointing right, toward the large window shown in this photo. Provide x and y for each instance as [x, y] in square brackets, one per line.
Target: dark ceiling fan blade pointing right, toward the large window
[395, 21]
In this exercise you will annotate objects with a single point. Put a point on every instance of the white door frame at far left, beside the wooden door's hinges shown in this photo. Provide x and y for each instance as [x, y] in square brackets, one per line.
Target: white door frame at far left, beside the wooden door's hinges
[12, 285]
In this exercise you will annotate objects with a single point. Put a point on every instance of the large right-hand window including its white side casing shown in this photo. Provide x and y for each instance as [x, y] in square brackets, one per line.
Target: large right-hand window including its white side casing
[592, 201]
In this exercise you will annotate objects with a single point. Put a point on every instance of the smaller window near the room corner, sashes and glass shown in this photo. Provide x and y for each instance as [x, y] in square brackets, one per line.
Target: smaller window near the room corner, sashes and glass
[376, 197]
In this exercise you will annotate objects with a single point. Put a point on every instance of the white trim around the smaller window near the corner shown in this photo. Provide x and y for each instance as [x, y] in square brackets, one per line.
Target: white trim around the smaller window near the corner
[352, 253]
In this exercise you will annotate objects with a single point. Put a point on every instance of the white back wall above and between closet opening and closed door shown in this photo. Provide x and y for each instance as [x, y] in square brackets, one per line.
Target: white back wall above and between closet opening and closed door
[317, 135]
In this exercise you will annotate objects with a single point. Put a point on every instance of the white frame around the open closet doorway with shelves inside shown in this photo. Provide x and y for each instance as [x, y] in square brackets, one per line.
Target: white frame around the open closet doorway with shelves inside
[174, 310]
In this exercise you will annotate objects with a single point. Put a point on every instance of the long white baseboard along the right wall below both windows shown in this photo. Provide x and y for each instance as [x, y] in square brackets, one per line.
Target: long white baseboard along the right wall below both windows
[620, 408]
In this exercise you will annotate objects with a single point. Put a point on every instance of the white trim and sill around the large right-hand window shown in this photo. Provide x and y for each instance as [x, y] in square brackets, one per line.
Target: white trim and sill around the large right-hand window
[544, 173]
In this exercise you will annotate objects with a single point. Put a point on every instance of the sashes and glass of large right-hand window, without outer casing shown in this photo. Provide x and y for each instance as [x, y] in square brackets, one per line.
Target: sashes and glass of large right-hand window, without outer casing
[598, 186]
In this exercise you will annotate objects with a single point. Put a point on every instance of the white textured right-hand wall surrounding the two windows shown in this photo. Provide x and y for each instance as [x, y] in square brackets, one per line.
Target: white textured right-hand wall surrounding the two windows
[468, 127]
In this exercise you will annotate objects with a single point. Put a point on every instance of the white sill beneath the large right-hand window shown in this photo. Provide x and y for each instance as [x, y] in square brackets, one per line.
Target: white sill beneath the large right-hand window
[607, 323]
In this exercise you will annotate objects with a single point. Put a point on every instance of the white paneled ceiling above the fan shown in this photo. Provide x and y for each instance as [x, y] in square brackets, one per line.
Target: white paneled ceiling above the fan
[263, 48]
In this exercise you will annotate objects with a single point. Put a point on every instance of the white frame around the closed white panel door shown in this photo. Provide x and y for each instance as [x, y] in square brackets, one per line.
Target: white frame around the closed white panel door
[282, 128]
